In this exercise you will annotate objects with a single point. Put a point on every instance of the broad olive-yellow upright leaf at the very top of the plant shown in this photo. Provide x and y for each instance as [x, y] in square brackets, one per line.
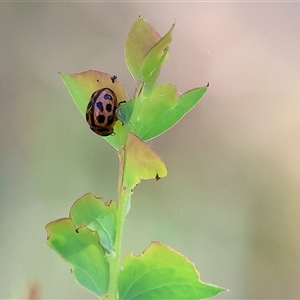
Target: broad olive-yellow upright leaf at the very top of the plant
[141, 38]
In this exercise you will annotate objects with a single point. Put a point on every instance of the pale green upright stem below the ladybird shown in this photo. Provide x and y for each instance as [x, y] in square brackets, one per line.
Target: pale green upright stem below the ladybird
[115, 261]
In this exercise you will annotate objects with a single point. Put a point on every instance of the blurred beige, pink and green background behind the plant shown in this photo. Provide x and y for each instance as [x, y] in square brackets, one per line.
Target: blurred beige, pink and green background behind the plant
[231, 201]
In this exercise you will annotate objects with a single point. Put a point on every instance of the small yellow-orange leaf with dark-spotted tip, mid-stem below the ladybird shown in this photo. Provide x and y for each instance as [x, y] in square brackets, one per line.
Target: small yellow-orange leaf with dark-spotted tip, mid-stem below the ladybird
[141, 163]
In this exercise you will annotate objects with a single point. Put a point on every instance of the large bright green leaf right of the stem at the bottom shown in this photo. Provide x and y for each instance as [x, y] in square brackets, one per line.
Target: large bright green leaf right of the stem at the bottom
[161, 273]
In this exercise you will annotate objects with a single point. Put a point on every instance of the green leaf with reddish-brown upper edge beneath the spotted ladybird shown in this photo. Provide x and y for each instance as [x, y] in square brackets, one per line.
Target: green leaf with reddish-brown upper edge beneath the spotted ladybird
[82, 85]
